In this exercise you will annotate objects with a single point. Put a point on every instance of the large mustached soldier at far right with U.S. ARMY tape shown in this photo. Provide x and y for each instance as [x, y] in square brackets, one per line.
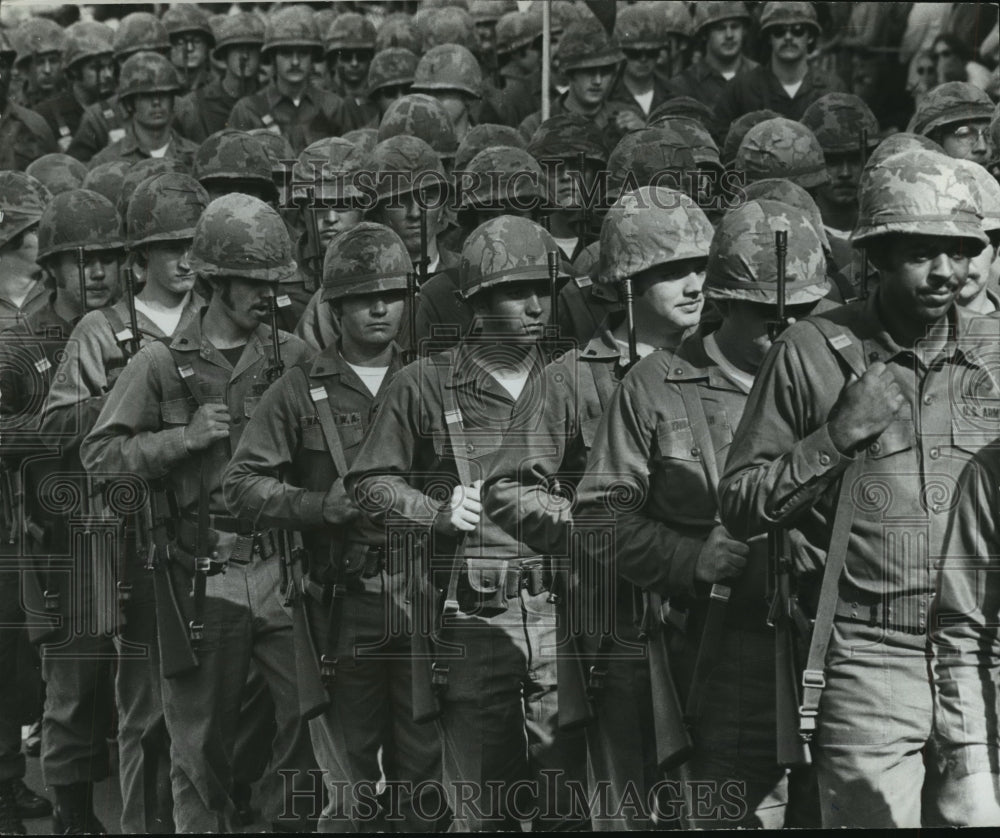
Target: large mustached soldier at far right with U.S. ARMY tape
[883, 412]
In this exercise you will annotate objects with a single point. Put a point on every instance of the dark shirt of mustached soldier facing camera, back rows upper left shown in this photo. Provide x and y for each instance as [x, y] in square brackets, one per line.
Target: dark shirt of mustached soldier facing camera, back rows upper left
[315, 117]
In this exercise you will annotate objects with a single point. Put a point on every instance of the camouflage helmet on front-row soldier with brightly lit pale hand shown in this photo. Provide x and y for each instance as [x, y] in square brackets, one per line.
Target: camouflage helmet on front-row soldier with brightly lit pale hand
[504, 250]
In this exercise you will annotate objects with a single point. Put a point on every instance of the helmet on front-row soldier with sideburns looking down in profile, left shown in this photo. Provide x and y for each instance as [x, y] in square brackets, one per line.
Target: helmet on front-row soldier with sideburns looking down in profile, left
[240, 236]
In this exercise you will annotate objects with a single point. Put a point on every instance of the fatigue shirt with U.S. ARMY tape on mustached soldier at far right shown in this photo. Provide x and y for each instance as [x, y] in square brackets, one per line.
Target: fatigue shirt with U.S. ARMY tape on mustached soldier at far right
[784, 469]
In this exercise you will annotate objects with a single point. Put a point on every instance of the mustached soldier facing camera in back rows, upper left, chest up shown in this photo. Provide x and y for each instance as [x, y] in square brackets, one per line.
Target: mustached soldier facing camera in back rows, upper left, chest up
[291, 104]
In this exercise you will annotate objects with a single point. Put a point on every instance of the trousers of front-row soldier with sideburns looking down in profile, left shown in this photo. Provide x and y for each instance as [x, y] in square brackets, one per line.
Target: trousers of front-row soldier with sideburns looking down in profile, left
[244, 619]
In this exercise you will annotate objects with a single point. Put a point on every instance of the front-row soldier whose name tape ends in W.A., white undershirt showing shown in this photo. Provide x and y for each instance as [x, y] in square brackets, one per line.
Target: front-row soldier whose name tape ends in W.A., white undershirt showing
[284, 475]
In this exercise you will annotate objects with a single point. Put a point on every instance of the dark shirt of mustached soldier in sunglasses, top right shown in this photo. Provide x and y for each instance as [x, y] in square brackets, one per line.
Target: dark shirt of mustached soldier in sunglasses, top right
[758, 89]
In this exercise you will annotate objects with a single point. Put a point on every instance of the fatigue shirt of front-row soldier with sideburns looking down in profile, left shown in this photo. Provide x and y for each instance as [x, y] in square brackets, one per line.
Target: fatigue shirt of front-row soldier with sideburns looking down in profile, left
[141, 427]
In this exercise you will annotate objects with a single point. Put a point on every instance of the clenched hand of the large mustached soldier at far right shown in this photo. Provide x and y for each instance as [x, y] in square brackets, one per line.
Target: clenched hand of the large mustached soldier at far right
[866, 407]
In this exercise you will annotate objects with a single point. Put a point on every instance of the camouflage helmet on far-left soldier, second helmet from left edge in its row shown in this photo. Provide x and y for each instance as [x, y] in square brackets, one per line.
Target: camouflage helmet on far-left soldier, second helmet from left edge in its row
[78, 219]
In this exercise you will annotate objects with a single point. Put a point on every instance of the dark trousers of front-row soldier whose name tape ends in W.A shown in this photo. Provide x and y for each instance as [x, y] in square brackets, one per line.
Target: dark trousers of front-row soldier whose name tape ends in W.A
[371, 711]
